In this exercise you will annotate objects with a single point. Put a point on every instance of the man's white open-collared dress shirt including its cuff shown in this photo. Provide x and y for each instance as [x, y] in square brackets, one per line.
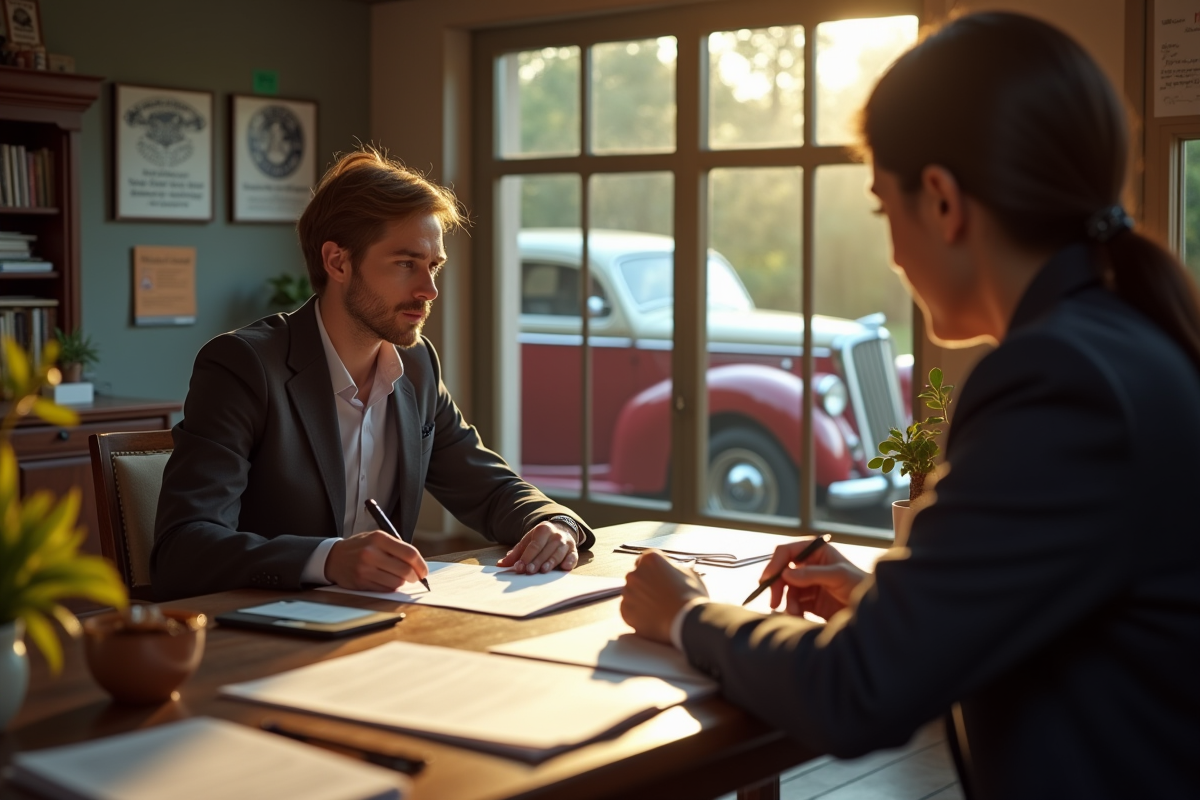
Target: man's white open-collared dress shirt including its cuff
[370, 448]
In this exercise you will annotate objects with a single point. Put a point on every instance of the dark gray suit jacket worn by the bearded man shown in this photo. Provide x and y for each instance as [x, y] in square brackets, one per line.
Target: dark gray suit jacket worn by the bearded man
[256, 480]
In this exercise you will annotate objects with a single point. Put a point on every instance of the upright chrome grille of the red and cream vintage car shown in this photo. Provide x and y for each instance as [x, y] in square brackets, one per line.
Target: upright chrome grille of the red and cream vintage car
[874, 389]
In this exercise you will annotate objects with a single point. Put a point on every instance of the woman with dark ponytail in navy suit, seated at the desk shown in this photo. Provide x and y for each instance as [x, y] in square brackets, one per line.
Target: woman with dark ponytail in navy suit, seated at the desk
[1052, 593]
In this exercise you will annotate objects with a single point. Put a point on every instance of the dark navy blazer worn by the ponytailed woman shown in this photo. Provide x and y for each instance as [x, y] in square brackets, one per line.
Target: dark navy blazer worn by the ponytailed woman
[1053, 590]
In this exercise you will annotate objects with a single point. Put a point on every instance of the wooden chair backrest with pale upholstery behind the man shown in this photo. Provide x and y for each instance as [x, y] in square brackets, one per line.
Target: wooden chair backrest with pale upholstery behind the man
[128, 471]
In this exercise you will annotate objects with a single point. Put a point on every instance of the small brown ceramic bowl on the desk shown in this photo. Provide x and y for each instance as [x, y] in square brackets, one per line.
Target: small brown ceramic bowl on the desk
[143, 664]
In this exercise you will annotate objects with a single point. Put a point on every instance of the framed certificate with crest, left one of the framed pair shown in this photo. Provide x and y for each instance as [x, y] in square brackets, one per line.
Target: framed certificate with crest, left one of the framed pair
[164, 154]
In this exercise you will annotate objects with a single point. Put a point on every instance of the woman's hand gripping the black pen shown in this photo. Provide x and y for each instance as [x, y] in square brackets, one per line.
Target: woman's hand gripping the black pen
[823, 585]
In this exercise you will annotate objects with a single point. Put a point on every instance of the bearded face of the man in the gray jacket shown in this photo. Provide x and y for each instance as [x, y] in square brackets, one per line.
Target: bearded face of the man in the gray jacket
[393, 286]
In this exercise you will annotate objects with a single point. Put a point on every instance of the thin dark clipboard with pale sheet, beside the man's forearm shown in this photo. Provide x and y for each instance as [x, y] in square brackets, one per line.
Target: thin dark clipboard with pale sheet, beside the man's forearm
[308, 618]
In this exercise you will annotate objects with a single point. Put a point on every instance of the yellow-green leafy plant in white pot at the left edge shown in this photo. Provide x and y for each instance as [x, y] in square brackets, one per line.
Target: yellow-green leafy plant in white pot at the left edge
[40, 560]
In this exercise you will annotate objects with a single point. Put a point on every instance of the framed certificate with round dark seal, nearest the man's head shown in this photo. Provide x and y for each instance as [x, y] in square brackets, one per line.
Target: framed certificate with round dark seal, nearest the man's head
[274, 158]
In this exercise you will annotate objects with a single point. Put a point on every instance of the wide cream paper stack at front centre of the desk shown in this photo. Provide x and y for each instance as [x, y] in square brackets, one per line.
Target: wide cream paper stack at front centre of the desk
[517, 708]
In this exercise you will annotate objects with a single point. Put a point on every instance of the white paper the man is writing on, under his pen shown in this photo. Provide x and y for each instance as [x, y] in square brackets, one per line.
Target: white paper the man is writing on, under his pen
[499, 591]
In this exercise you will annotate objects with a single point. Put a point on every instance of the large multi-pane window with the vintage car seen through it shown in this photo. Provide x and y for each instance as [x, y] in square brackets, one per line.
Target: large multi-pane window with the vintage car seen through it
[695, 170]
